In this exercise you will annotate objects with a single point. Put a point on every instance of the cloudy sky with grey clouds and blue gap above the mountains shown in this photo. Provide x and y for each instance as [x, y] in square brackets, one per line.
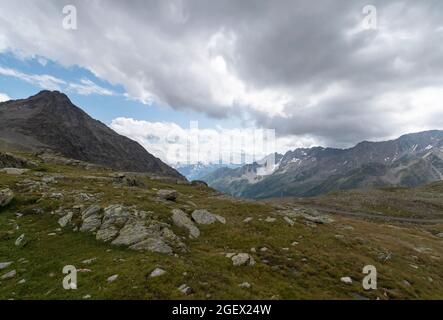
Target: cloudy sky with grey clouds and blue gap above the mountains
[313, 71]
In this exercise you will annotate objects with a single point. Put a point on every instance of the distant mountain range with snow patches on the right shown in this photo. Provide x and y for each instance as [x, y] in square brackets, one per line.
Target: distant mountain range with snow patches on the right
[411, 160]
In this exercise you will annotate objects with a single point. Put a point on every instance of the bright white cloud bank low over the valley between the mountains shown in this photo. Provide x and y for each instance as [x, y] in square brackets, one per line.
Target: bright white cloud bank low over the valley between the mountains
[174, 144]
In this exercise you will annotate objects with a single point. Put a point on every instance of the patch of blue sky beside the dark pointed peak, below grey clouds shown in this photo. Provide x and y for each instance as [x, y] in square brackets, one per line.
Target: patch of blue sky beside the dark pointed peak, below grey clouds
[100, 106]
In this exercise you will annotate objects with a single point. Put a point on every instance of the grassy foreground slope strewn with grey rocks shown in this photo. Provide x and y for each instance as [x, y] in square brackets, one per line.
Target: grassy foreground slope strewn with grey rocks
[133, 237]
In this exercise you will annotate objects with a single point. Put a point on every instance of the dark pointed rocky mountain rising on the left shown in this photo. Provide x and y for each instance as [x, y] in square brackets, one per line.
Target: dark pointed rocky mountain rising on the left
[49, 121]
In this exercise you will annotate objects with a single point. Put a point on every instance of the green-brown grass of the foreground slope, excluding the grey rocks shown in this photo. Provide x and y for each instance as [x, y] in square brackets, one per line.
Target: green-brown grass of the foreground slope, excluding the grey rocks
[310, 269]
